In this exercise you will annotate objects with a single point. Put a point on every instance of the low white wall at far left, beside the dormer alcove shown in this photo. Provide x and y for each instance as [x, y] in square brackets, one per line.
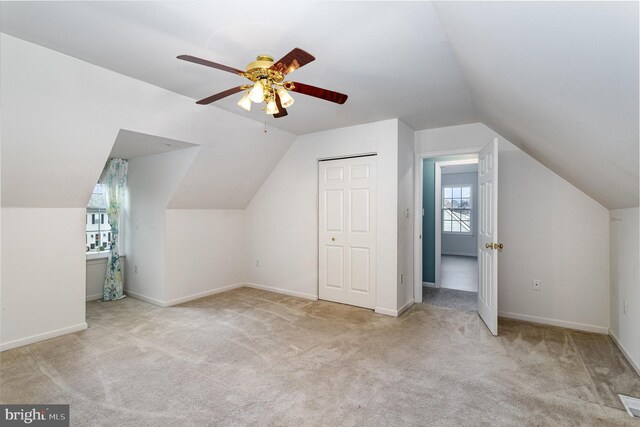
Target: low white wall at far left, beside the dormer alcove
[43, 281]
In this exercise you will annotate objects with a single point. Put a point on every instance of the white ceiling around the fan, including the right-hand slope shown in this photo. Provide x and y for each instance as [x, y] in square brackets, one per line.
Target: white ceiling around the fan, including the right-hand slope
[558, 79]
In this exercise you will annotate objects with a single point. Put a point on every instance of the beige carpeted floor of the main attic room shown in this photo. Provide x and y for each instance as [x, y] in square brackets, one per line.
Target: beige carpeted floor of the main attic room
[249, 357]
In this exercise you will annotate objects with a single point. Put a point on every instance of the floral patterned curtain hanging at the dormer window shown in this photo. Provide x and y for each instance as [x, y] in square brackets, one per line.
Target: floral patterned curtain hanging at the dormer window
[114, 178]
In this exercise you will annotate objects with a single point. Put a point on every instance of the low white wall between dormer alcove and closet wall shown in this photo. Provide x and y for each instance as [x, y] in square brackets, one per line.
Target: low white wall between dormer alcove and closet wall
[205, 252]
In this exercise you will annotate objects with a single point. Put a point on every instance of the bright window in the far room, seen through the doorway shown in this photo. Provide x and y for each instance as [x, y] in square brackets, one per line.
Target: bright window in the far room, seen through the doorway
[456, 209]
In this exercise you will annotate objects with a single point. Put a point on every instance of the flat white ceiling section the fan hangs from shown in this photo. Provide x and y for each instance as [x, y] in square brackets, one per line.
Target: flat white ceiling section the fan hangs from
[391, 58]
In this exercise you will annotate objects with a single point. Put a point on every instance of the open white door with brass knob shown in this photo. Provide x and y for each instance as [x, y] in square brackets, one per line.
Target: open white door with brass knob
[488, 236]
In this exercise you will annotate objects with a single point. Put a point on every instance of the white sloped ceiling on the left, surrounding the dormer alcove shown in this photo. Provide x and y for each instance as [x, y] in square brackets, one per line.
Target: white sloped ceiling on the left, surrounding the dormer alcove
[61, 120]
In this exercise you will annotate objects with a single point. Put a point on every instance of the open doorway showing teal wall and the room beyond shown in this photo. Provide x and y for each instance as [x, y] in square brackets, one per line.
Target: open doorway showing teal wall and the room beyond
[450, 266]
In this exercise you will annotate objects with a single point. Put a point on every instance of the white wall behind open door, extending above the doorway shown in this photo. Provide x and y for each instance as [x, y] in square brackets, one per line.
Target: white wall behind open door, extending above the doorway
[551, 231]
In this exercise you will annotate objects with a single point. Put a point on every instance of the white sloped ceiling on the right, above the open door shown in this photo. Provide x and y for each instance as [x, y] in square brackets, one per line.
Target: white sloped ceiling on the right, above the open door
[560, 80]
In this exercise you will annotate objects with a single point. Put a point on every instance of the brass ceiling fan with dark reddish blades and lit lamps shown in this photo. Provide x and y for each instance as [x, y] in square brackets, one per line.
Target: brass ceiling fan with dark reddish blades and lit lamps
[268, 84]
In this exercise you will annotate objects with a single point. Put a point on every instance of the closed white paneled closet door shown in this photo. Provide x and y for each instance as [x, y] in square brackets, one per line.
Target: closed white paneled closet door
[347, 231]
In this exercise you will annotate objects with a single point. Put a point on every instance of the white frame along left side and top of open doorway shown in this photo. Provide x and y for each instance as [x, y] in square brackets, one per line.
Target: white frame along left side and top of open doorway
[418, 204]
